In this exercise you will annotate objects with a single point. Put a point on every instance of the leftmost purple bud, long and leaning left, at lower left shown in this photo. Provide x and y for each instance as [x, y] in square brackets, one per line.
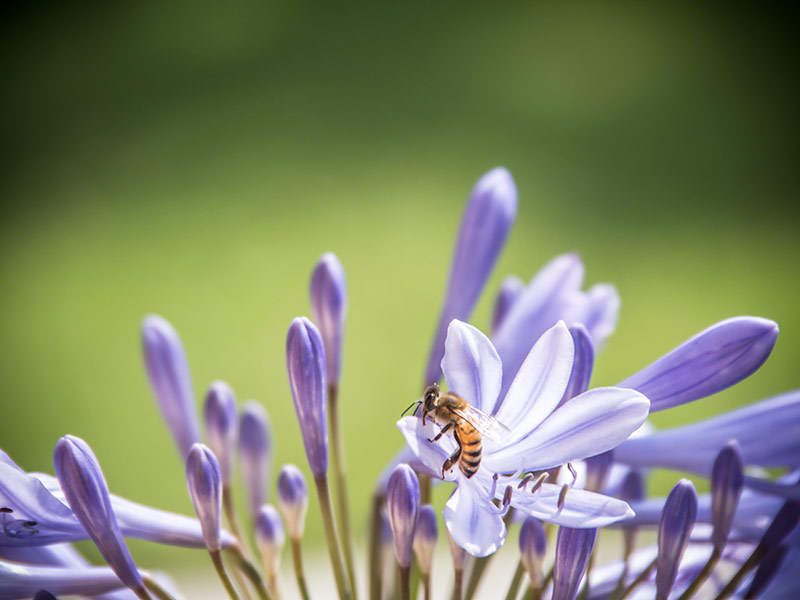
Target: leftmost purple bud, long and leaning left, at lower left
[86, 492]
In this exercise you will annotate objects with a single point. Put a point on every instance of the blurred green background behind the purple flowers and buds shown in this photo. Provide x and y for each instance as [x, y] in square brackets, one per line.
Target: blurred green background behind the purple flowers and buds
[194, 161]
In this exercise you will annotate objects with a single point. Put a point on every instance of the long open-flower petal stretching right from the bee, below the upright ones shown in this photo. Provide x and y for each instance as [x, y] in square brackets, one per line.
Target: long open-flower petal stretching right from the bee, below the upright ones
[585, 426]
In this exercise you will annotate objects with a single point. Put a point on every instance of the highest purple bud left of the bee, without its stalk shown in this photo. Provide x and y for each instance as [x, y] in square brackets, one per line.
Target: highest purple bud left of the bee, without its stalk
[329, 307]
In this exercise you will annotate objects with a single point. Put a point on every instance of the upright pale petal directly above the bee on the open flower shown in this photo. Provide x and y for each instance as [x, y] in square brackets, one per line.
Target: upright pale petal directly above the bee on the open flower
[471, 366]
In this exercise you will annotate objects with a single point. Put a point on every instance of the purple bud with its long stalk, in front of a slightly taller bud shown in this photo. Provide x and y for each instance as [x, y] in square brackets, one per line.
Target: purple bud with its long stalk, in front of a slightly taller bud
[306, 368]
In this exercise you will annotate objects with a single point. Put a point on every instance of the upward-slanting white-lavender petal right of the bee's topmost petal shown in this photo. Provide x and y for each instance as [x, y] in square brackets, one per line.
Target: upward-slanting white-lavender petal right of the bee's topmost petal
[539, 384]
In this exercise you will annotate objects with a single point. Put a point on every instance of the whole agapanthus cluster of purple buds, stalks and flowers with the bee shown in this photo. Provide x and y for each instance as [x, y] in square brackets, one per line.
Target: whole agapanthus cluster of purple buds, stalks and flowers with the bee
[508, 421]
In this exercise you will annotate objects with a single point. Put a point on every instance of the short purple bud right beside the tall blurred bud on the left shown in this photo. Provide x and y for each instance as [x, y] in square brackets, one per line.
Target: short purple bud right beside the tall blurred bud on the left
[222, 426]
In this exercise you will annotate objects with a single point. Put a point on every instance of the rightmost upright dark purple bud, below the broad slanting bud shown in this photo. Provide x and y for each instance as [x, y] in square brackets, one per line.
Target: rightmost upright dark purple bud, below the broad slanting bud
[727, 479]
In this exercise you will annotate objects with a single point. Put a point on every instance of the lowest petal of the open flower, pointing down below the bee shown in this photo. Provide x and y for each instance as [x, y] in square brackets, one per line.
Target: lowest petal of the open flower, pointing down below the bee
[473, 522]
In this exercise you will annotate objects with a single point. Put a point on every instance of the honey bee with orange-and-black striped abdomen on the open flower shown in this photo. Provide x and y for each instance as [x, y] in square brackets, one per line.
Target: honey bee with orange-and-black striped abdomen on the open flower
[468, 425]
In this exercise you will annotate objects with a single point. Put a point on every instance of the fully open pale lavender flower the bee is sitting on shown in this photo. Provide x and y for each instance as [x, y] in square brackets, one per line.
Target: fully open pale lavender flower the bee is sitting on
[539, 437]
